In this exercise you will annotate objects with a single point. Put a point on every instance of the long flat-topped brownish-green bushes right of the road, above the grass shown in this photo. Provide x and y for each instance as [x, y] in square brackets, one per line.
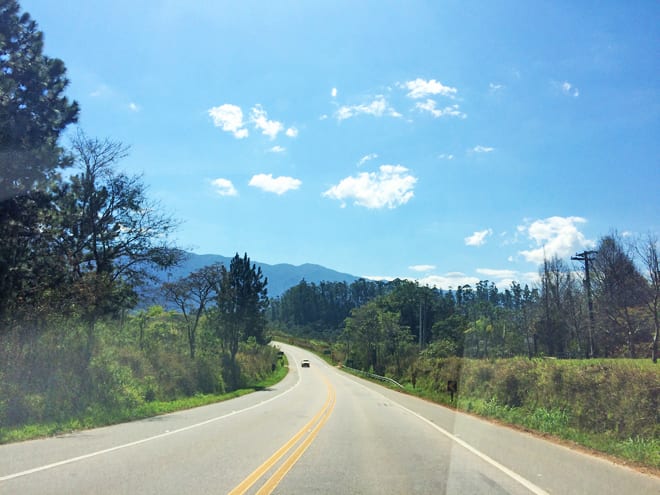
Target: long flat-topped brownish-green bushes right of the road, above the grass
[618, 397]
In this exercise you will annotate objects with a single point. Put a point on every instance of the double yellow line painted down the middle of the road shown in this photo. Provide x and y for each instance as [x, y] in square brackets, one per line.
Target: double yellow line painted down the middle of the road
[309, 435]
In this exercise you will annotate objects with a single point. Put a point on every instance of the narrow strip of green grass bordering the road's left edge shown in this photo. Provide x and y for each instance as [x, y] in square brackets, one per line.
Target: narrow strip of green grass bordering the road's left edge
[96, 418]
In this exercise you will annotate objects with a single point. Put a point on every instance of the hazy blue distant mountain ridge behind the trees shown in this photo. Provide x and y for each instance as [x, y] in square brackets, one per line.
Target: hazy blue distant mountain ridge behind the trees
[280, 277]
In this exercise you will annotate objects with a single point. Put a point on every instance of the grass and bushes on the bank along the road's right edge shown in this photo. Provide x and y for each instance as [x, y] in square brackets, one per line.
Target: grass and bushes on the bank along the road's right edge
[610, 405]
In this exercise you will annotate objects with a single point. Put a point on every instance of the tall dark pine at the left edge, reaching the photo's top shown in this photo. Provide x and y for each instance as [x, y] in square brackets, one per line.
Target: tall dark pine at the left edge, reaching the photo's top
[33, 113]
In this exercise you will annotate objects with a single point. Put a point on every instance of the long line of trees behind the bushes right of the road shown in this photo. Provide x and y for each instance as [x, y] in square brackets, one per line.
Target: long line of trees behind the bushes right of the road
[377, 324]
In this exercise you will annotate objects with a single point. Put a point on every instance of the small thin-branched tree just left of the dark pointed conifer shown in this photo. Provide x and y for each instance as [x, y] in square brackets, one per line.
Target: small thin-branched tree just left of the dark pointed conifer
[191, 295]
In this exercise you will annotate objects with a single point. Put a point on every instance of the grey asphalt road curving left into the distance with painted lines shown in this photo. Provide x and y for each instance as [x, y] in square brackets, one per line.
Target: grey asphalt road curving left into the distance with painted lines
[319, 431]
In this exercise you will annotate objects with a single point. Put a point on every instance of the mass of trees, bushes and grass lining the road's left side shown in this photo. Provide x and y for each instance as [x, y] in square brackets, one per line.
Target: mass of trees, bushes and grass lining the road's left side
[81, 243]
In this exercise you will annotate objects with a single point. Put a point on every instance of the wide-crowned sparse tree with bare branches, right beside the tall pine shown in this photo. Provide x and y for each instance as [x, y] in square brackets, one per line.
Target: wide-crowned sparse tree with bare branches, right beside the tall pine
[112, 235]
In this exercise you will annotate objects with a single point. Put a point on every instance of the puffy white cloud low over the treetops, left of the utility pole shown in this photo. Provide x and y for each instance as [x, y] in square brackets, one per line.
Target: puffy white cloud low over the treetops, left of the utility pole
[554, 236]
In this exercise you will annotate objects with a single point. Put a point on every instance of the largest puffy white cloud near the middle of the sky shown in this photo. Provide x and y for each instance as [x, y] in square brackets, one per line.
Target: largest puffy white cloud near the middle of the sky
[390, 187]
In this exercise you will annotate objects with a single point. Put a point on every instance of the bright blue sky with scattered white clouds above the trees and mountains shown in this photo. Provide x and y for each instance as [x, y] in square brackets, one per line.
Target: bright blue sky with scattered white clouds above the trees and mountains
[442, 141]
